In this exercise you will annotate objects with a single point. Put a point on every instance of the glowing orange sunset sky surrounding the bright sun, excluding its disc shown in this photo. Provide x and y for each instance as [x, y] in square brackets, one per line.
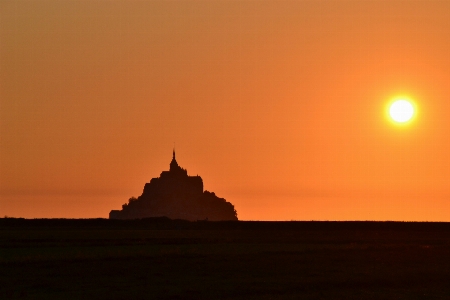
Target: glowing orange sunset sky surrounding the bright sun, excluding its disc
[279, 106]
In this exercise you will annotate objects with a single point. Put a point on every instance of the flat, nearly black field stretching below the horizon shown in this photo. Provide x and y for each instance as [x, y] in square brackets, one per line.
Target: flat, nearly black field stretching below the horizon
[163, 259]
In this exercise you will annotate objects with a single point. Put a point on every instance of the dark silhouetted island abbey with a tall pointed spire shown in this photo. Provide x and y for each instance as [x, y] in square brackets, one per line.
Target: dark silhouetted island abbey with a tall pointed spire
[178, 196]
